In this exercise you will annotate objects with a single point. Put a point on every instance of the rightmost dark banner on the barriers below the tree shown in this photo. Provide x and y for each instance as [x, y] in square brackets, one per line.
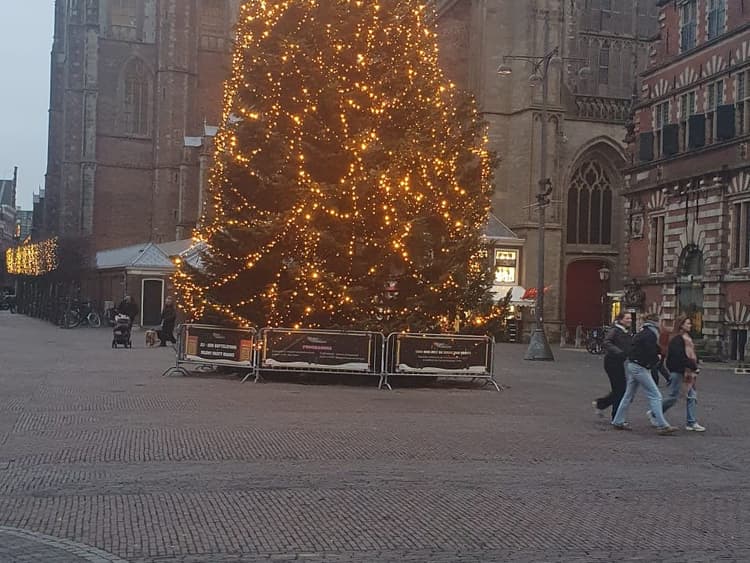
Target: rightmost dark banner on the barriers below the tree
[441, 354]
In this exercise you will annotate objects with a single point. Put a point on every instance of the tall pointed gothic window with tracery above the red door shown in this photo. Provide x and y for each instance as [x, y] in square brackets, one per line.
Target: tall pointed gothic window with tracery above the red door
[590, 205]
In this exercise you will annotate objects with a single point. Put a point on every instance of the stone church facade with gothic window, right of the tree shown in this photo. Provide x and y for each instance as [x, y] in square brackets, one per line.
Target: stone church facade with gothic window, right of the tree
[587, 127]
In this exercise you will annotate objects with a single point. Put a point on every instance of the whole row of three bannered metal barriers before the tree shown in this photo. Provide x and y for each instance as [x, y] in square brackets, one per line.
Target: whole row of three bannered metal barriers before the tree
[334, 352]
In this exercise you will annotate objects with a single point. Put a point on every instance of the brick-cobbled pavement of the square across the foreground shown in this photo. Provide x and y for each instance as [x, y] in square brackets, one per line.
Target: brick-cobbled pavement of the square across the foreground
[102, 459]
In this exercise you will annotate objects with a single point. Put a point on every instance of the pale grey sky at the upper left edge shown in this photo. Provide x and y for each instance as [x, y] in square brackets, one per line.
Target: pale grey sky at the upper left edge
[26, 30]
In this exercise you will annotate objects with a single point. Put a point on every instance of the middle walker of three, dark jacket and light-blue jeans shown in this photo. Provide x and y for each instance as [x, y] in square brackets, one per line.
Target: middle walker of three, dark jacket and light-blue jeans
[644, 355]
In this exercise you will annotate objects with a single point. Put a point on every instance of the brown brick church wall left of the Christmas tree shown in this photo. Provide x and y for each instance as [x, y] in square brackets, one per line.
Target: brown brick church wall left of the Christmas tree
[136, 94]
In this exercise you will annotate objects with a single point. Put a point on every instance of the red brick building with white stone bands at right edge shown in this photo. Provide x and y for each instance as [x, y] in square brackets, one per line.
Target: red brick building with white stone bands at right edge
[688, 195]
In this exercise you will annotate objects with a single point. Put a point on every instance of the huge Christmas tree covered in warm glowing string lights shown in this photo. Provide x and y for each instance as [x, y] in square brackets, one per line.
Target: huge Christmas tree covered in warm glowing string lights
[351, 181]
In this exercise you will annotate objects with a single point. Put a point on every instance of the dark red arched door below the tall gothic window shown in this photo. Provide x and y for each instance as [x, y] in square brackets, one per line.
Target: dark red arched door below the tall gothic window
[584, 303]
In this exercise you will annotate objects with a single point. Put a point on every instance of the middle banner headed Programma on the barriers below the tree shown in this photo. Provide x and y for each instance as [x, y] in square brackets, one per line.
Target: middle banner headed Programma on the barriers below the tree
[328, 351]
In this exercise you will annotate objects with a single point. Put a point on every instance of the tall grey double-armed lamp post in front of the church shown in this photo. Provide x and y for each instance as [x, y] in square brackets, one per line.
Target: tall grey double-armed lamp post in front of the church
[539, 348]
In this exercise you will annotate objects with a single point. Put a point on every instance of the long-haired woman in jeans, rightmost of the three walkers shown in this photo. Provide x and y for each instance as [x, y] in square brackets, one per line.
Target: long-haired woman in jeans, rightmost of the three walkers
[682, 363]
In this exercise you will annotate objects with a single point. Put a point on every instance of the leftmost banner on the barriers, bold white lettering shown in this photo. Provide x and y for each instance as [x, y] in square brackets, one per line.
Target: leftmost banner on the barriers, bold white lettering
[216, 345]
